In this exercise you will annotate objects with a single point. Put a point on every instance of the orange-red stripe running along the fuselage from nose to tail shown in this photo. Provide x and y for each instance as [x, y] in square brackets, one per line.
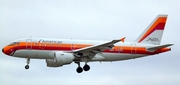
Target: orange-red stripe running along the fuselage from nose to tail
[70, 47]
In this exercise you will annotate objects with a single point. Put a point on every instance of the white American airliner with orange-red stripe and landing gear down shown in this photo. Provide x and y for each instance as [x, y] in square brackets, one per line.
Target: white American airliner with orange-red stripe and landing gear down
[59, 52]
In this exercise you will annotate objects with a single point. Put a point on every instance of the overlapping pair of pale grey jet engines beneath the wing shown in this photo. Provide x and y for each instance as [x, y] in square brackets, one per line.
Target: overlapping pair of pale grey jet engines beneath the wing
[60, 59]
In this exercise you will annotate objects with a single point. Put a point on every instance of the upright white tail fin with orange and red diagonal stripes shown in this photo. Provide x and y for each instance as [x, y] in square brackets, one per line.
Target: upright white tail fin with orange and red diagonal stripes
[154, 32]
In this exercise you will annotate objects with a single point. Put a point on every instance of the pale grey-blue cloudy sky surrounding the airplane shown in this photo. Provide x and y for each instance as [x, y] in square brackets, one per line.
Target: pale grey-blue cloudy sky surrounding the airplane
[89, 19]
